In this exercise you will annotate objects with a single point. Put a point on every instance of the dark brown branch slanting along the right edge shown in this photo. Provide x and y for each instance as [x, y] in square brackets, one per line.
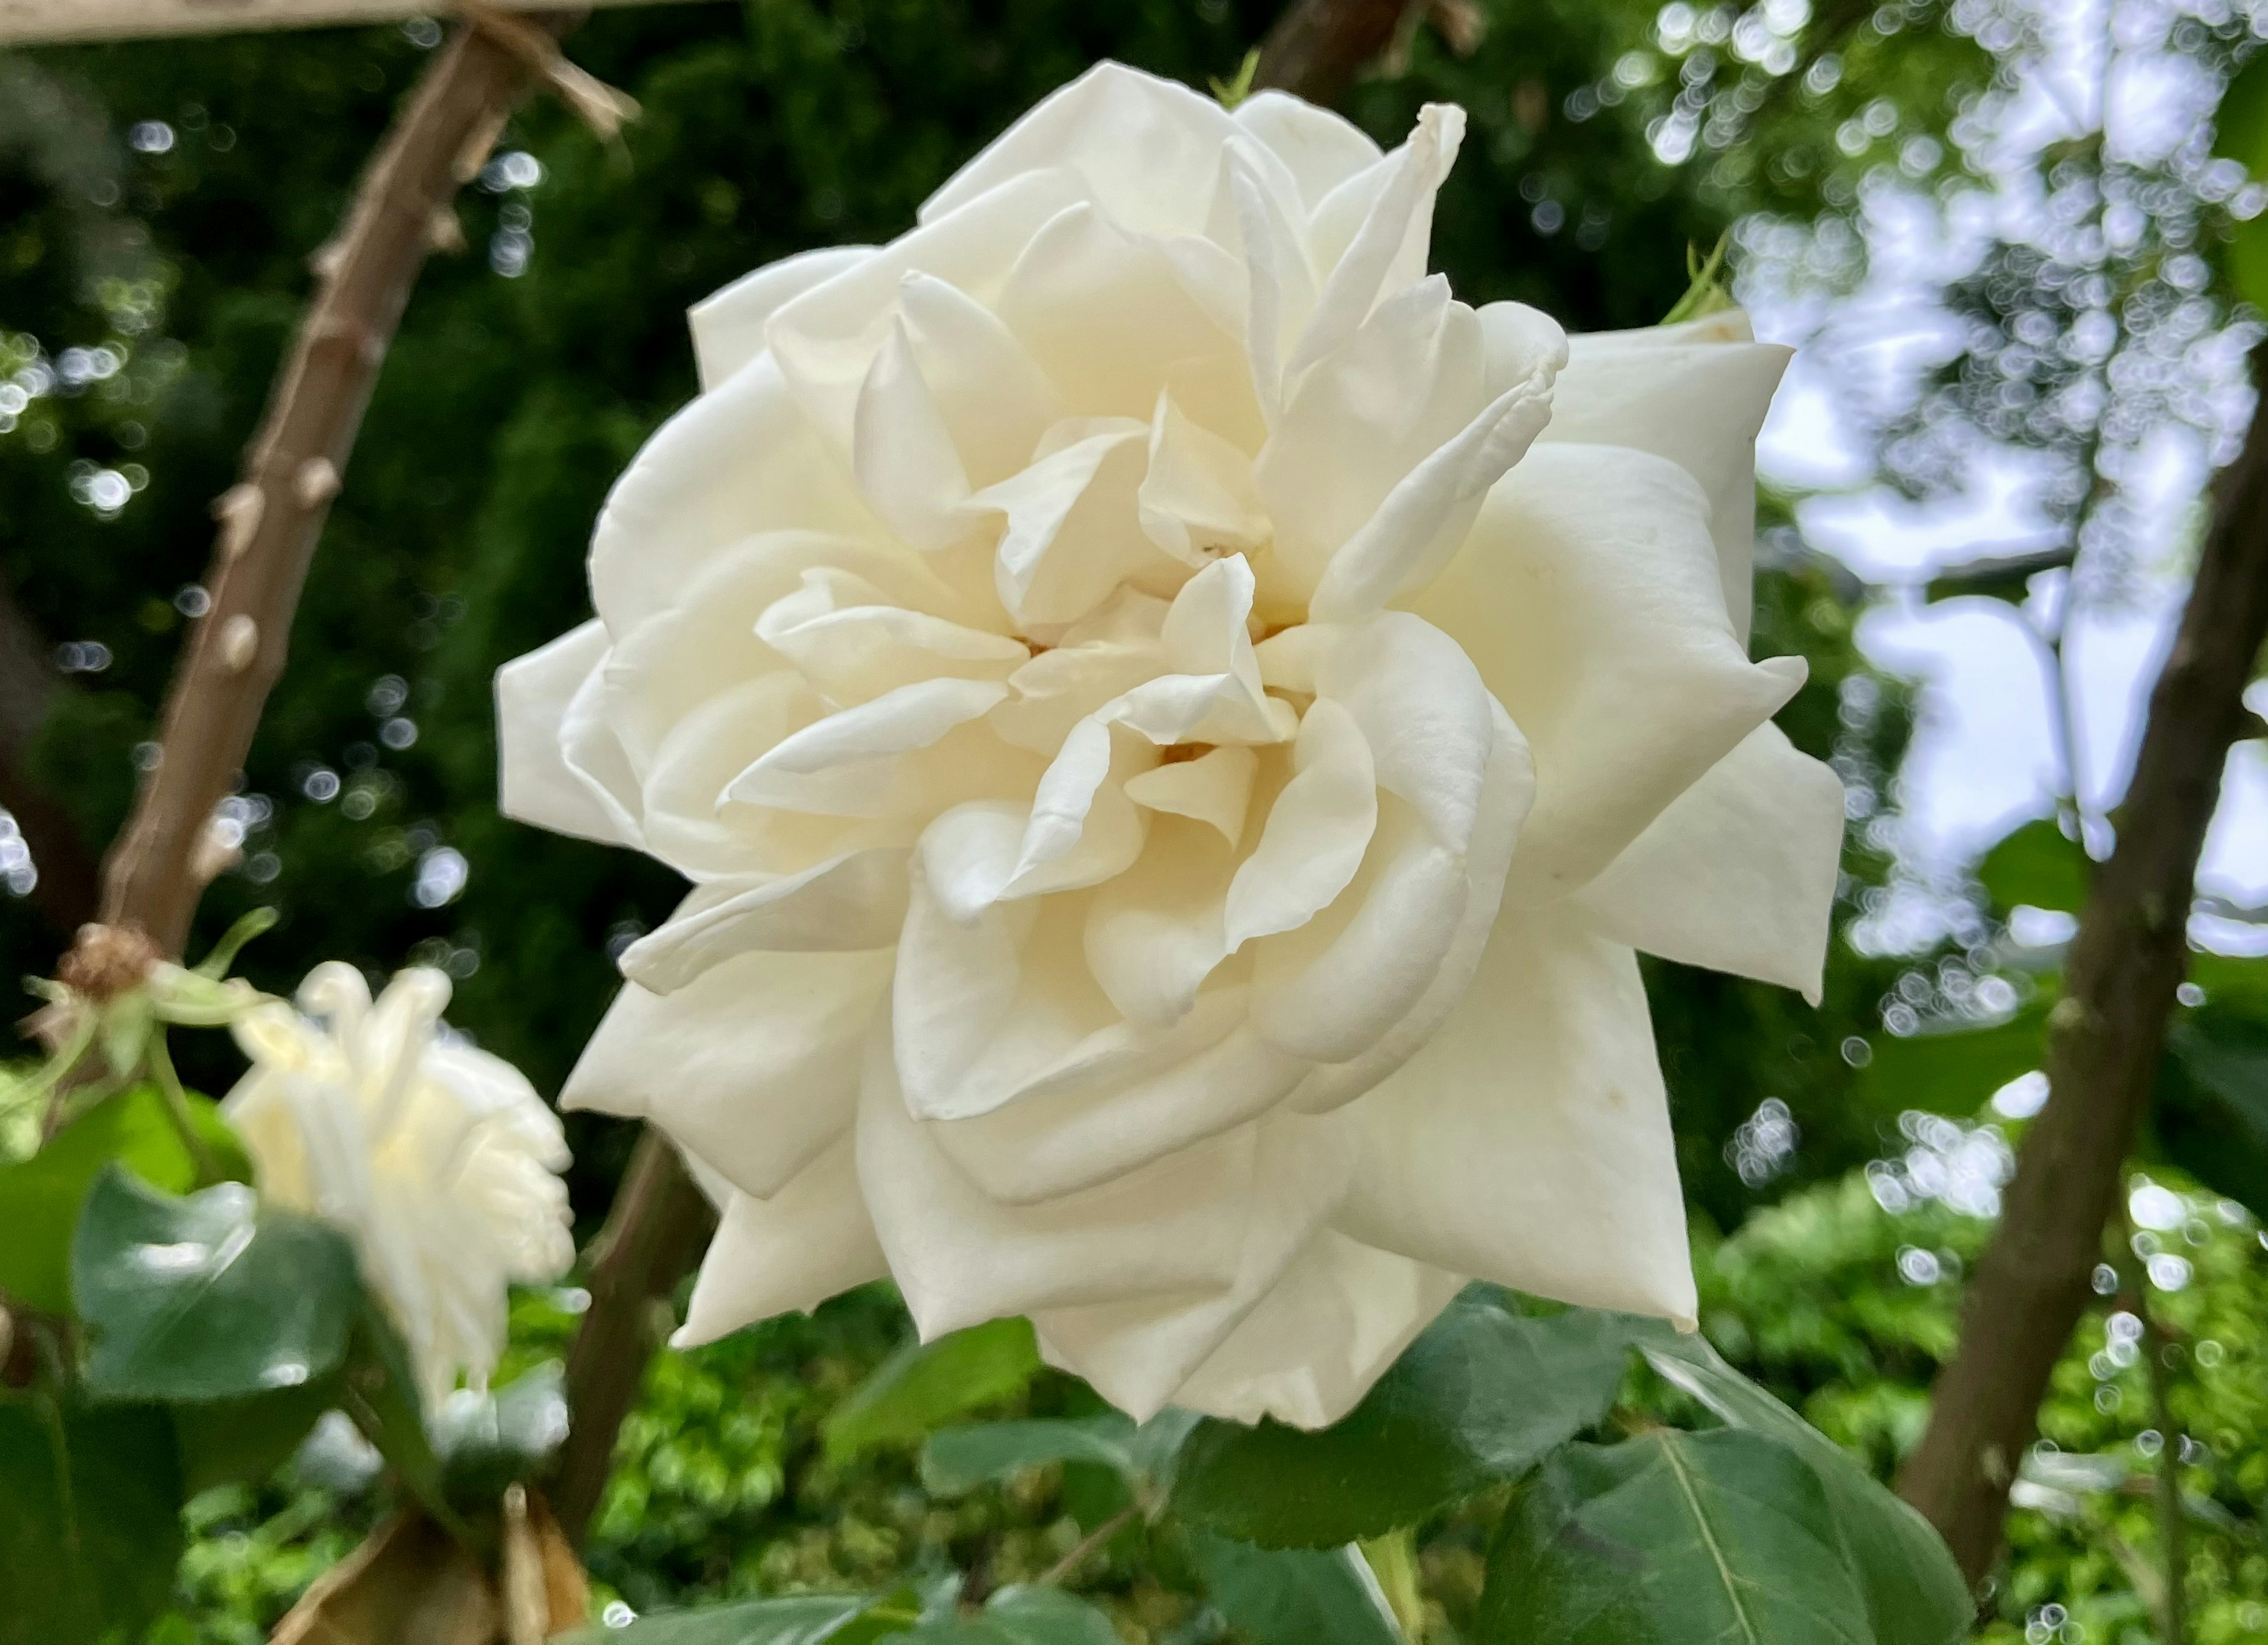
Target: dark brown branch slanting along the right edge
[2104, 1038]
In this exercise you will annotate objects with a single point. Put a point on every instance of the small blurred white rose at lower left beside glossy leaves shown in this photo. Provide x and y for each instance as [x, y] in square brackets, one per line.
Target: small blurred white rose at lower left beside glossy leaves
[439, 1161]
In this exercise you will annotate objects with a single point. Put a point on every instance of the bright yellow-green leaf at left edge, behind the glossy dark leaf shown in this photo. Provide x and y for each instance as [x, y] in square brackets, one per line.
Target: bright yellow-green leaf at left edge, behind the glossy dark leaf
[42, 1197]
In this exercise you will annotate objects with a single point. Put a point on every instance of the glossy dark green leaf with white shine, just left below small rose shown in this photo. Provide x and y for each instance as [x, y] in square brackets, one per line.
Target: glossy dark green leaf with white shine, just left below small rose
[205, 1297]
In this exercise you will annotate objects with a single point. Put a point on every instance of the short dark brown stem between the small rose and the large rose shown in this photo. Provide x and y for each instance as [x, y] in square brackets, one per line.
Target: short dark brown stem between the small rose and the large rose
[650, 1242]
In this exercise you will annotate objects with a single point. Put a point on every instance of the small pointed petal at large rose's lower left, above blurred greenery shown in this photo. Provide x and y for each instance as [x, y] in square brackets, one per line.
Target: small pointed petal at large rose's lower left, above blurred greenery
[786, 1254]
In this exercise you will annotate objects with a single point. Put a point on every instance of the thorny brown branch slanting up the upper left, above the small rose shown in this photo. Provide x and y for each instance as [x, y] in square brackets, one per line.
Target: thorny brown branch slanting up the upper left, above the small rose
[273, 516]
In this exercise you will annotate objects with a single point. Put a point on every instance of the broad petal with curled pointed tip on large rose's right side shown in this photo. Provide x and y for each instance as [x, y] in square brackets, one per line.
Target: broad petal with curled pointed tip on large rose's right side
[1589, 600]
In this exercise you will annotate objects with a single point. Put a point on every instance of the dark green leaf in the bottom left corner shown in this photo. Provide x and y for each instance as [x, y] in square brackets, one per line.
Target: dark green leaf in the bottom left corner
[90, 1521]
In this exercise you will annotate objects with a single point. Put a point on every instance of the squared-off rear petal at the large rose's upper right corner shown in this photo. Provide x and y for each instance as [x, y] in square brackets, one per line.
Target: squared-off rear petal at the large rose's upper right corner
[1689, 398]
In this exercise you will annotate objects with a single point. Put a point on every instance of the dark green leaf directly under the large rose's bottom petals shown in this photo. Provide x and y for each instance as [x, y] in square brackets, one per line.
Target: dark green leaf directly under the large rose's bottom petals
[1478, 1399]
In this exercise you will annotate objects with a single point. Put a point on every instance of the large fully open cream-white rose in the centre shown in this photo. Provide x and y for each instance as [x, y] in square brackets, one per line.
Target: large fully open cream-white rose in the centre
[1178, 729]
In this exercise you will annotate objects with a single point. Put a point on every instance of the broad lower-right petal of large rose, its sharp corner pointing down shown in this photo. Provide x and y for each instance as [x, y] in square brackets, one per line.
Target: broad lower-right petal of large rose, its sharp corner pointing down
[1530, 1140]
